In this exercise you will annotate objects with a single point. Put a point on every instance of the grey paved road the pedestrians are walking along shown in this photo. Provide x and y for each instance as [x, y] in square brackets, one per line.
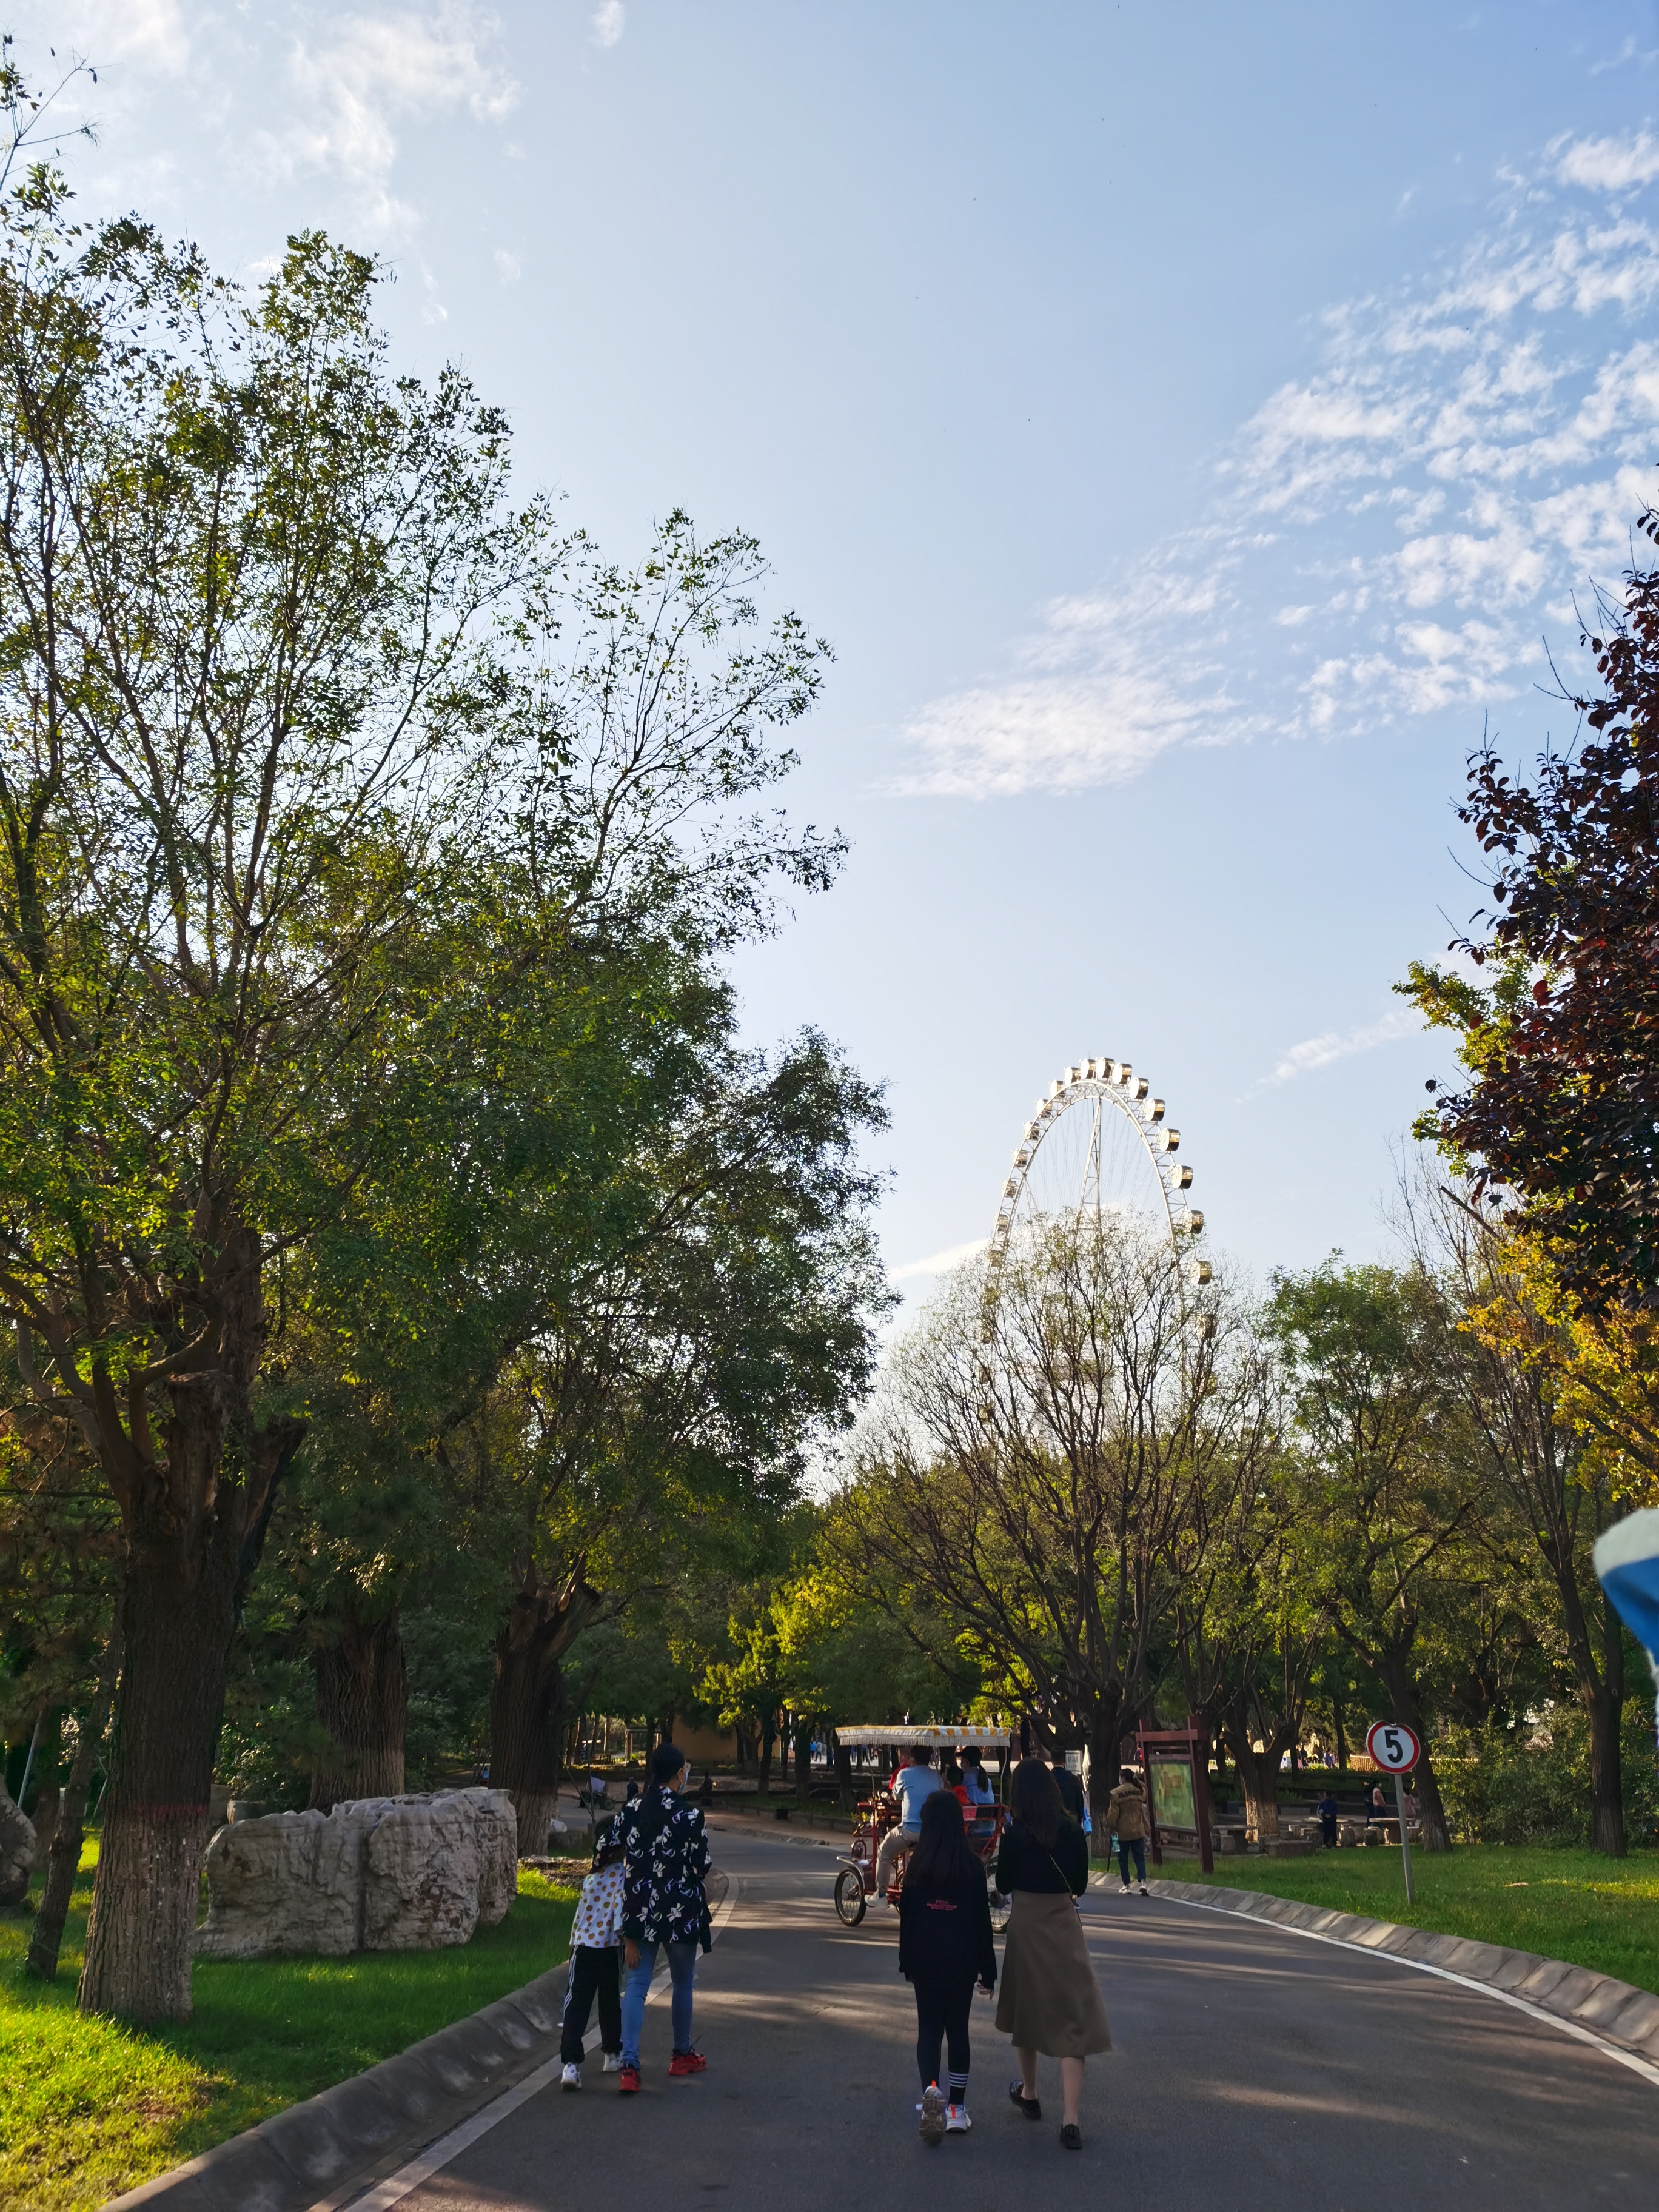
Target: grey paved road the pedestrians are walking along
[1255, 2072]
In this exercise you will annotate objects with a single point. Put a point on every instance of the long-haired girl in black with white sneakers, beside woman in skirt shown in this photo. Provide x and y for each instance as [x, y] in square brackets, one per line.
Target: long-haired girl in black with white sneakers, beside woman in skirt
[943, 1950]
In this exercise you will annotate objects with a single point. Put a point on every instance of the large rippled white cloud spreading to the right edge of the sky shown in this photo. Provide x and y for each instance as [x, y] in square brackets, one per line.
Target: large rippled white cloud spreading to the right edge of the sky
[1397, 532]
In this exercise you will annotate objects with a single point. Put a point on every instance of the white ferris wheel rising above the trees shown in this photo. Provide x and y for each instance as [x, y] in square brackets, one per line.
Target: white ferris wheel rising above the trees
[1098, 1142]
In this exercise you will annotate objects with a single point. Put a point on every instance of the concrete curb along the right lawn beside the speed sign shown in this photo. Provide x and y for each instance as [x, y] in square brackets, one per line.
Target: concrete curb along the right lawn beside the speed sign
[1594, 2003]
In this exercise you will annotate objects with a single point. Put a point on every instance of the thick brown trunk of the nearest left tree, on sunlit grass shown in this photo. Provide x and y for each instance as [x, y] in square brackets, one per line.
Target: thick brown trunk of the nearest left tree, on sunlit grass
[178, 1618]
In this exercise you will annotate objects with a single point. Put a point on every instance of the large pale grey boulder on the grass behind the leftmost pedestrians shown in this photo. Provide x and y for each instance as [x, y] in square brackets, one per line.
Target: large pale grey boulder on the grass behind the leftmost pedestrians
[375, 1875]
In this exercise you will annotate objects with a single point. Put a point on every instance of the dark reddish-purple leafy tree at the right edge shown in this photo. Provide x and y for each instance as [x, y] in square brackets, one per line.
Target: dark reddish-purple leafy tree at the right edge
[1563, 1116]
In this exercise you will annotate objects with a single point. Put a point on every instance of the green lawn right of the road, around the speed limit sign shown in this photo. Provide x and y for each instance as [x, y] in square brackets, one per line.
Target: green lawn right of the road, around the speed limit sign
[1594, 1912]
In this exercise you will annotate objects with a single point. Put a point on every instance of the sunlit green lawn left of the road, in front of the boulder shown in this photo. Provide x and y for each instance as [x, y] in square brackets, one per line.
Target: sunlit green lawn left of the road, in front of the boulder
[92, 2109]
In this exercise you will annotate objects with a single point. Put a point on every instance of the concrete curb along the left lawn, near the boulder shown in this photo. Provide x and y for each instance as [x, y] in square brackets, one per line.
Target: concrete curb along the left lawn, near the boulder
[340, 2142]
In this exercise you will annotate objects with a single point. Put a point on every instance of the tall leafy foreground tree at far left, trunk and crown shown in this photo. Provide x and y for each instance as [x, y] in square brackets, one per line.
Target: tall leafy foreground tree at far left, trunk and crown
[244, 581]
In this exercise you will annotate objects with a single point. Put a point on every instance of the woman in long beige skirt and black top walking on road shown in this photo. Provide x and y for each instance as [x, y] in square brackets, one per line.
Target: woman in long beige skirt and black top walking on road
[1050, 1999]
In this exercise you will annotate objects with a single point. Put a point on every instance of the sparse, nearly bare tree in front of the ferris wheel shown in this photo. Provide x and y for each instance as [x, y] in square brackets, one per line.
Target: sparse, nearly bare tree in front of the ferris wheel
[1039, 1485]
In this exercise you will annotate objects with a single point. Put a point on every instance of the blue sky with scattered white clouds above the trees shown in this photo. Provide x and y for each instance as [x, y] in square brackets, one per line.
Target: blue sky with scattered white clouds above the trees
[1196, 428]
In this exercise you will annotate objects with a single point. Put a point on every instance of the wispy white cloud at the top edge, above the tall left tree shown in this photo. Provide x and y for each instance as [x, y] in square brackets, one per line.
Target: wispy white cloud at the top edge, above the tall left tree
[375, 74]
